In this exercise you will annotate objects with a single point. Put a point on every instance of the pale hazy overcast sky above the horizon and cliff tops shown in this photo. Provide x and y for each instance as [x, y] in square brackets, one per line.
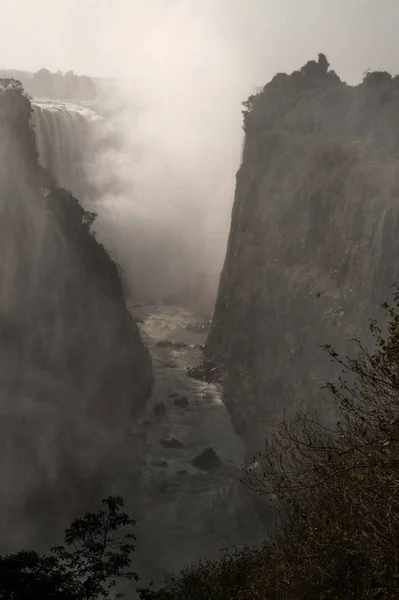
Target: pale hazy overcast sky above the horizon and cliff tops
[123, 38]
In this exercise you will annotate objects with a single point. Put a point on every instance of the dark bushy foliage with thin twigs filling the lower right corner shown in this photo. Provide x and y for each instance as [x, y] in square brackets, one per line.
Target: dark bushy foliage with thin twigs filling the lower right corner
[337, 490]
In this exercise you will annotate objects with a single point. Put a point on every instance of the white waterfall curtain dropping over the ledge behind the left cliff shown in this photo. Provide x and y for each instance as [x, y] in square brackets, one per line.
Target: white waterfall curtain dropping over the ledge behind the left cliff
[63, 135]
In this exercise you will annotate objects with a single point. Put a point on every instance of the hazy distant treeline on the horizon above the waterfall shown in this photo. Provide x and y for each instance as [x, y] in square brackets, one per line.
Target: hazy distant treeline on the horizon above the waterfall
[54, 86]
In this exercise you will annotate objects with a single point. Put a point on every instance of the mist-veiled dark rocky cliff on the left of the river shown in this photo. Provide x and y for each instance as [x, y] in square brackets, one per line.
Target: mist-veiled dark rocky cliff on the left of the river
[73, 368]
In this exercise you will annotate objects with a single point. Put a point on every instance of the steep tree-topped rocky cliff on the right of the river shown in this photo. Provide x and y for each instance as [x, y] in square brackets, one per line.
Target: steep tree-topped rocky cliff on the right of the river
[314, 240]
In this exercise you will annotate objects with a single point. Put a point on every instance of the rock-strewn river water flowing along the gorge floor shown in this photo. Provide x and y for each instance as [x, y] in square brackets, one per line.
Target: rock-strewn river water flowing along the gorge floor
[186, 513]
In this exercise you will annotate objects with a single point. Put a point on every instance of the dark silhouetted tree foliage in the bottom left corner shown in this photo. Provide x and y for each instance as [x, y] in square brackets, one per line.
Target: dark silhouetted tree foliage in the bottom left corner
[96, 555]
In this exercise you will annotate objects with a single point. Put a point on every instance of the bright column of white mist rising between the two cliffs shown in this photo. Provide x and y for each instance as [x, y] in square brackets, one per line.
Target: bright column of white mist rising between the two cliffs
[178, 129]
